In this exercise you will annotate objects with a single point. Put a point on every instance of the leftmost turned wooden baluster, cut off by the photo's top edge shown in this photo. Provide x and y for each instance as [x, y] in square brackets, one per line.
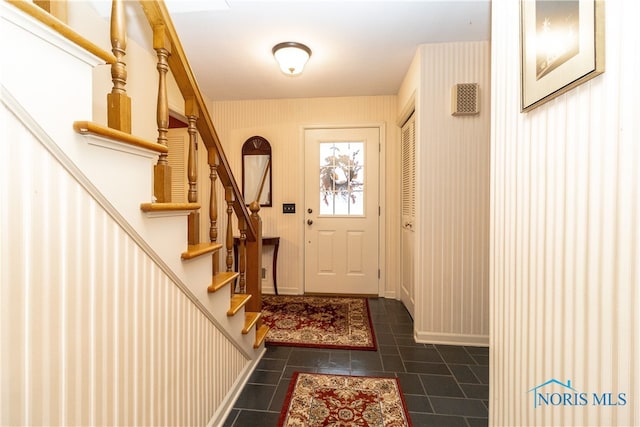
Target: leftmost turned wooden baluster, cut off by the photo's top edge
[118, 102]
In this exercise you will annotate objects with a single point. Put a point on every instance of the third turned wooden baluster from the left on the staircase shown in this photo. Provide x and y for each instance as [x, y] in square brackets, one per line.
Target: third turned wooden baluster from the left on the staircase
[192, 113]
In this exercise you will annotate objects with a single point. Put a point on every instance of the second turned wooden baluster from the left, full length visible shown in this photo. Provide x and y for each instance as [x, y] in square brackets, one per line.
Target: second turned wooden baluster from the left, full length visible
[162, 171]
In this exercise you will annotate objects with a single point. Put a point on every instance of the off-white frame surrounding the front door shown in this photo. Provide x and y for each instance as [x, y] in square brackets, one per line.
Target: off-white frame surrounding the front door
[381, 126]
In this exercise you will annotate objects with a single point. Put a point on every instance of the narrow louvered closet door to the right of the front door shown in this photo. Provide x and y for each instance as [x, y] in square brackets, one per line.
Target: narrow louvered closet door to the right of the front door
[407, 291]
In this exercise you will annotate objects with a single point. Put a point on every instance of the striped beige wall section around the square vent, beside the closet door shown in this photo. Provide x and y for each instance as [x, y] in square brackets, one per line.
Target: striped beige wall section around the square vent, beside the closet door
[452, 175]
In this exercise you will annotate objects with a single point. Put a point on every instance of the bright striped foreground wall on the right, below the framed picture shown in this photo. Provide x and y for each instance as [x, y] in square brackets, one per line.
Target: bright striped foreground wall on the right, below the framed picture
[565, 237]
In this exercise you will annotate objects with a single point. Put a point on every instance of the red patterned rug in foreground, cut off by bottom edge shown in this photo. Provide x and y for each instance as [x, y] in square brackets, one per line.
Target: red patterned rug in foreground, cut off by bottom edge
[344, 401]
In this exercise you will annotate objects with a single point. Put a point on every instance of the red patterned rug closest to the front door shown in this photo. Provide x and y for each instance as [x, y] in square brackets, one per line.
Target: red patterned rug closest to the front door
[314, 321]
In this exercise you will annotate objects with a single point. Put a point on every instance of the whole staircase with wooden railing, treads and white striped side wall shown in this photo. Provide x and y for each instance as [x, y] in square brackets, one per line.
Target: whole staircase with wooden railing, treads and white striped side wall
[180, 290]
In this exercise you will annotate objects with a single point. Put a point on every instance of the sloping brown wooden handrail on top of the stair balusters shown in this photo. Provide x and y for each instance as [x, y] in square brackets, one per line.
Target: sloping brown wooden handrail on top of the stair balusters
[158, 15]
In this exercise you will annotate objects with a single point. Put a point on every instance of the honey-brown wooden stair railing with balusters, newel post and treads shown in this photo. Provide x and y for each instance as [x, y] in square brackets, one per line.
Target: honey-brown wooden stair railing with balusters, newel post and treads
[171, 57]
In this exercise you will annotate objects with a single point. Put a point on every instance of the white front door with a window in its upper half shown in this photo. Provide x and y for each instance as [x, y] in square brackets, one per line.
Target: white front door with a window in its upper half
[341, 210]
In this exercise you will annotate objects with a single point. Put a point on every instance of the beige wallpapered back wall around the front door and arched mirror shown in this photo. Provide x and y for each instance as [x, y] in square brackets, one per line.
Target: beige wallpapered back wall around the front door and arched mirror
[282, 122]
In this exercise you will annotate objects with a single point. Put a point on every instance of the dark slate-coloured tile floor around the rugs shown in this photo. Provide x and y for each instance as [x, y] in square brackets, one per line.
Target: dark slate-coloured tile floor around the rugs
[443, 385]
